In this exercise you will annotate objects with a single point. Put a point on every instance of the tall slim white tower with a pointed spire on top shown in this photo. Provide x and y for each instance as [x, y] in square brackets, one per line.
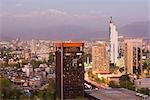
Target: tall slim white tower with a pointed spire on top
[113, 34]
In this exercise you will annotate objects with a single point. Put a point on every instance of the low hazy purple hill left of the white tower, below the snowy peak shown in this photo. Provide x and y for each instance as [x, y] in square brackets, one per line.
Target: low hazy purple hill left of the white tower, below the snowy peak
[62, 32]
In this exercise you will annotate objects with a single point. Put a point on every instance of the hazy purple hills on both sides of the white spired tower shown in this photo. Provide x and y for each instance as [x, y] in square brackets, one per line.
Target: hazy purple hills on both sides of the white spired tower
[76, 32]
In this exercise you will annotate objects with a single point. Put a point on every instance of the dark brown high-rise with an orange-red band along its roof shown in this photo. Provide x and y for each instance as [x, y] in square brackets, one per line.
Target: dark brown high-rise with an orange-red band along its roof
[69, 70]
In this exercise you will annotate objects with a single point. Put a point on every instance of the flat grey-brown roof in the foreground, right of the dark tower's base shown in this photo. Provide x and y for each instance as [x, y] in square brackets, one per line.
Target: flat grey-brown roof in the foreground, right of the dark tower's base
[113, 94]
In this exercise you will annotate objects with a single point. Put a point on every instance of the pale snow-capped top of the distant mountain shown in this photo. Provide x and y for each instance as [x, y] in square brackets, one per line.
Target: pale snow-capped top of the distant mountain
[55, 13]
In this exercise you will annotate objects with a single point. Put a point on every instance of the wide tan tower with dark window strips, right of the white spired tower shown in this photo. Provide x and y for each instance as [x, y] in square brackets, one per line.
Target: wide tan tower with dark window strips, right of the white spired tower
[133, 56]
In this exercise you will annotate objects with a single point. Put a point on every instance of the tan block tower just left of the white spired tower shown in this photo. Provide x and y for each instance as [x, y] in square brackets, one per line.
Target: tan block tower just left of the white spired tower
[100, 59]
